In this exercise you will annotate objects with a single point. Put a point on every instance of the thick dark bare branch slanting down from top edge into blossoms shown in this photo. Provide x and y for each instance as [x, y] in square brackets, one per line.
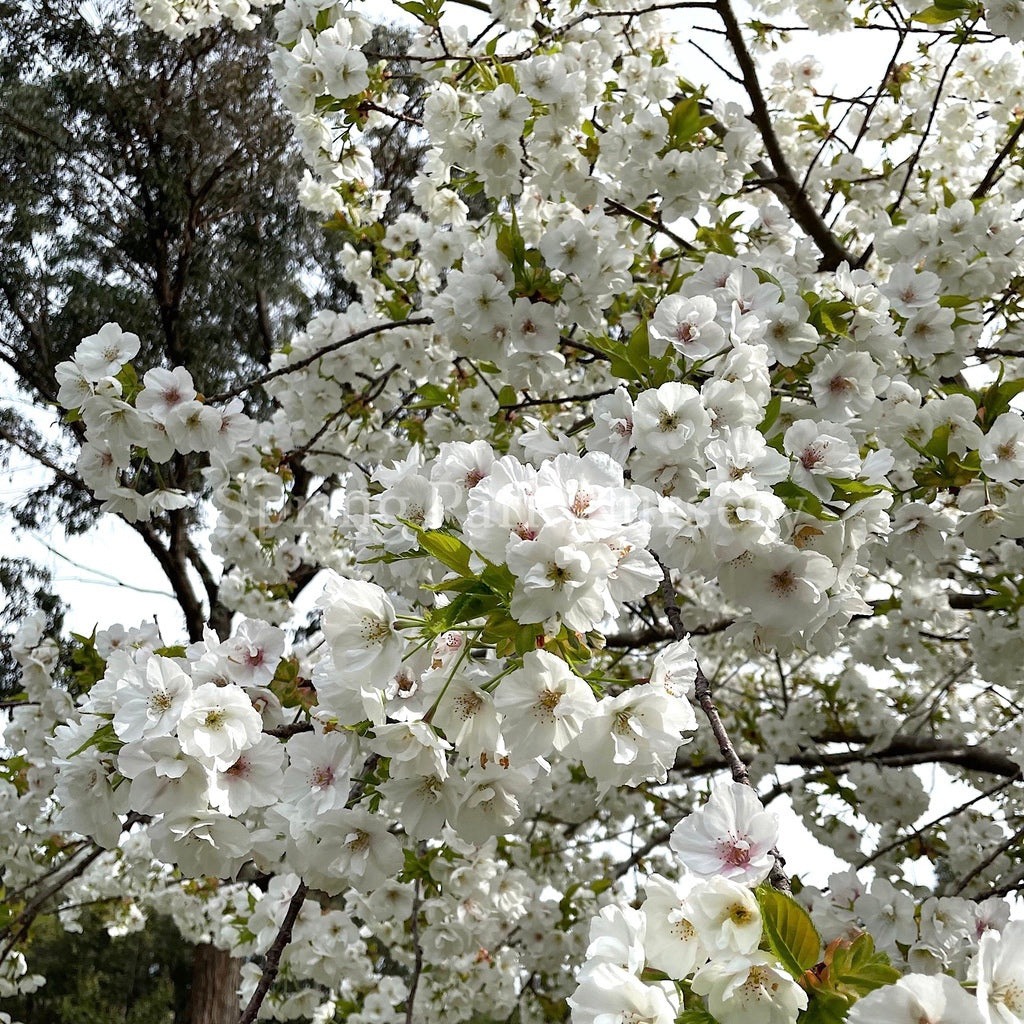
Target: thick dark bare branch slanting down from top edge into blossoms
[784, 184]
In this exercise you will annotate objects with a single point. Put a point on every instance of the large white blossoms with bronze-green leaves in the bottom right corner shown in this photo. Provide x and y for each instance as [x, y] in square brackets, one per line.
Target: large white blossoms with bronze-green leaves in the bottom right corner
[711, 940]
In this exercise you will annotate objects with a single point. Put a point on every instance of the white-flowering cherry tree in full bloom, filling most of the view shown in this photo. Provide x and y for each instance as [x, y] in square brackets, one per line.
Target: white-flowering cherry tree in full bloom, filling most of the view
[669, 463]
